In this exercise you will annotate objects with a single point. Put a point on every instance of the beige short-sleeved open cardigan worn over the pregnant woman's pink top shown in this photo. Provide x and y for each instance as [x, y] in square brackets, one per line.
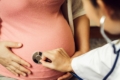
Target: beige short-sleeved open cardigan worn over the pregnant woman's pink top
[72, 9]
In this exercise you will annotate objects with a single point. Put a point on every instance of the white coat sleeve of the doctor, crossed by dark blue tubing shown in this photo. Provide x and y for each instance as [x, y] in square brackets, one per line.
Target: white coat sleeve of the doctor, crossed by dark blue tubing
[95, 64]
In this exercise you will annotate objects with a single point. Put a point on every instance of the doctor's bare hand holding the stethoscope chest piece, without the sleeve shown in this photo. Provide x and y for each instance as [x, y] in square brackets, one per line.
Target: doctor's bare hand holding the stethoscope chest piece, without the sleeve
[60, 60]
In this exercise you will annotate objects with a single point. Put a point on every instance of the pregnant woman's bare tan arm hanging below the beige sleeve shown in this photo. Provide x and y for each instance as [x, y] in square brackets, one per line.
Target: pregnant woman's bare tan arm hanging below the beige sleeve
[82, 25]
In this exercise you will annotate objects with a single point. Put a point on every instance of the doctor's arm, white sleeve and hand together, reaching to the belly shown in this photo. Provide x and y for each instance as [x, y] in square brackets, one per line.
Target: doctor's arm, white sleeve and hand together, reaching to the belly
[93, 65]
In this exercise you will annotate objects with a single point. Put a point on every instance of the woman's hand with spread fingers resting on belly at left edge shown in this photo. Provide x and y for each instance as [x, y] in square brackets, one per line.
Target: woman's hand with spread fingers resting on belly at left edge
[12, 62]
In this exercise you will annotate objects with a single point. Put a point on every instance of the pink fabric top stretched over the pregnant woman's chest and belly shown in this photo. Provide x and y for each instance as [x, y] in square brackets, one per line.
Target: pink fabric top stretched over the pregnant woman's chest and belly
[40, 26]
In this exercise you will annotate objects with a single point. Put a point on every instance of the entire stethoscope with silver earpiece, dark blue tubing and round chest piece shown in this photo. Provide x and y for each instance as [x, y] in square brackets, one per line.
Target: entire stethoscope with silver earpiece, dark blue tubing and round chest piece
[37, 56]
